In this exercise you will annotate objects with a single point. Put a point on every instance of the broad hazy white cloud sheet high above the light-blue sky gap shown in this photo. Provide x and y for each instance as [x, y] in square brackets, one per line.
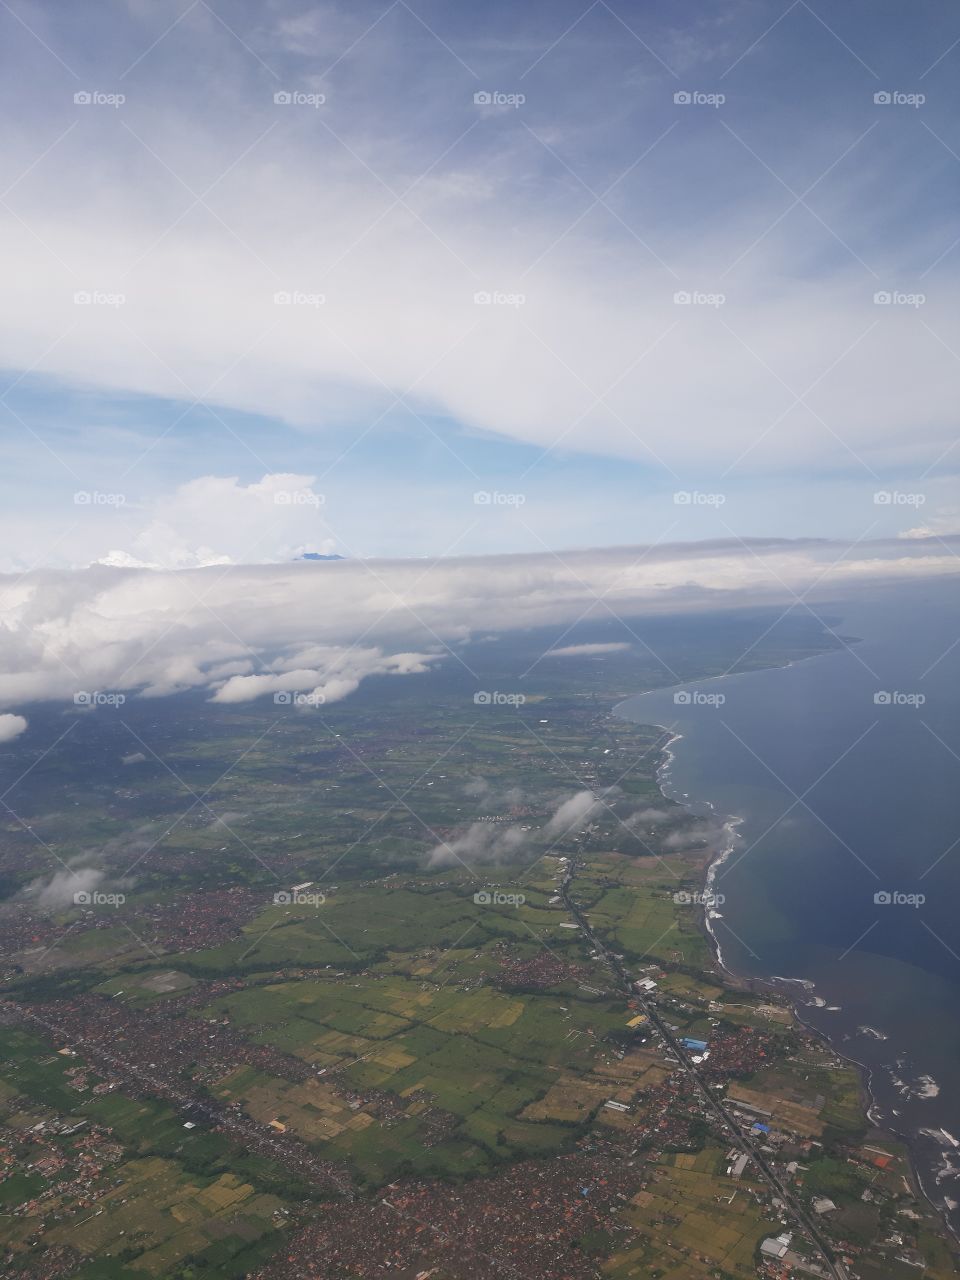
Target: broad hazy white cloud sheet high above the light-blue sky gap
[600, 354]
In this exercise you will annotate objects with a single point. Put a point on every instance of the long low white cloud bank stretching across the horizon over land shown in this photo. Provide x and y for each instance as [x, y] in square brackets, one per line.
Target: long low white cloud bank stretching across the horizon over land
[252, 630]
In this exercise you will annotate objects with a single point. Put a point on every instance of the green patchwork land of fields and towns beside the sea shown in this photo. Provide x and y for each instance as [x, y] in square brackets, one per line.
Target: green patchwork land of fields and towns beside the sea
[367, 1007]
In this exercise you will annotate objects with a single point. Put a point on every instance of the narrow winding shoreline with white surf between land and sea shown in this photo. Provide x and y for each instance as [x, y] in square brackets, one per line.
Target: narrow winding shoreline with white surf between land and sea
[774, 984]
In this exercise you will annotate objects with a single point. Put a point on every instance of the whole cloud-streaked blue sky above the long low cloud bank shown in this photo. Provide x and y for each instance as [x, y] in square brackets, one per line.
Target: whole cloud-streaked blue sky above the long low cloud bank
[783, 199]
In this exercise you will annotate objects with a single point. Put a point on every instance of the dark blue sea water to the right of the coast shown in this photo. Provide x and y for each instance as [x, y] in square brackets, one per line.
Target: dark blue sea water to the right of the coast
[845, 870]
